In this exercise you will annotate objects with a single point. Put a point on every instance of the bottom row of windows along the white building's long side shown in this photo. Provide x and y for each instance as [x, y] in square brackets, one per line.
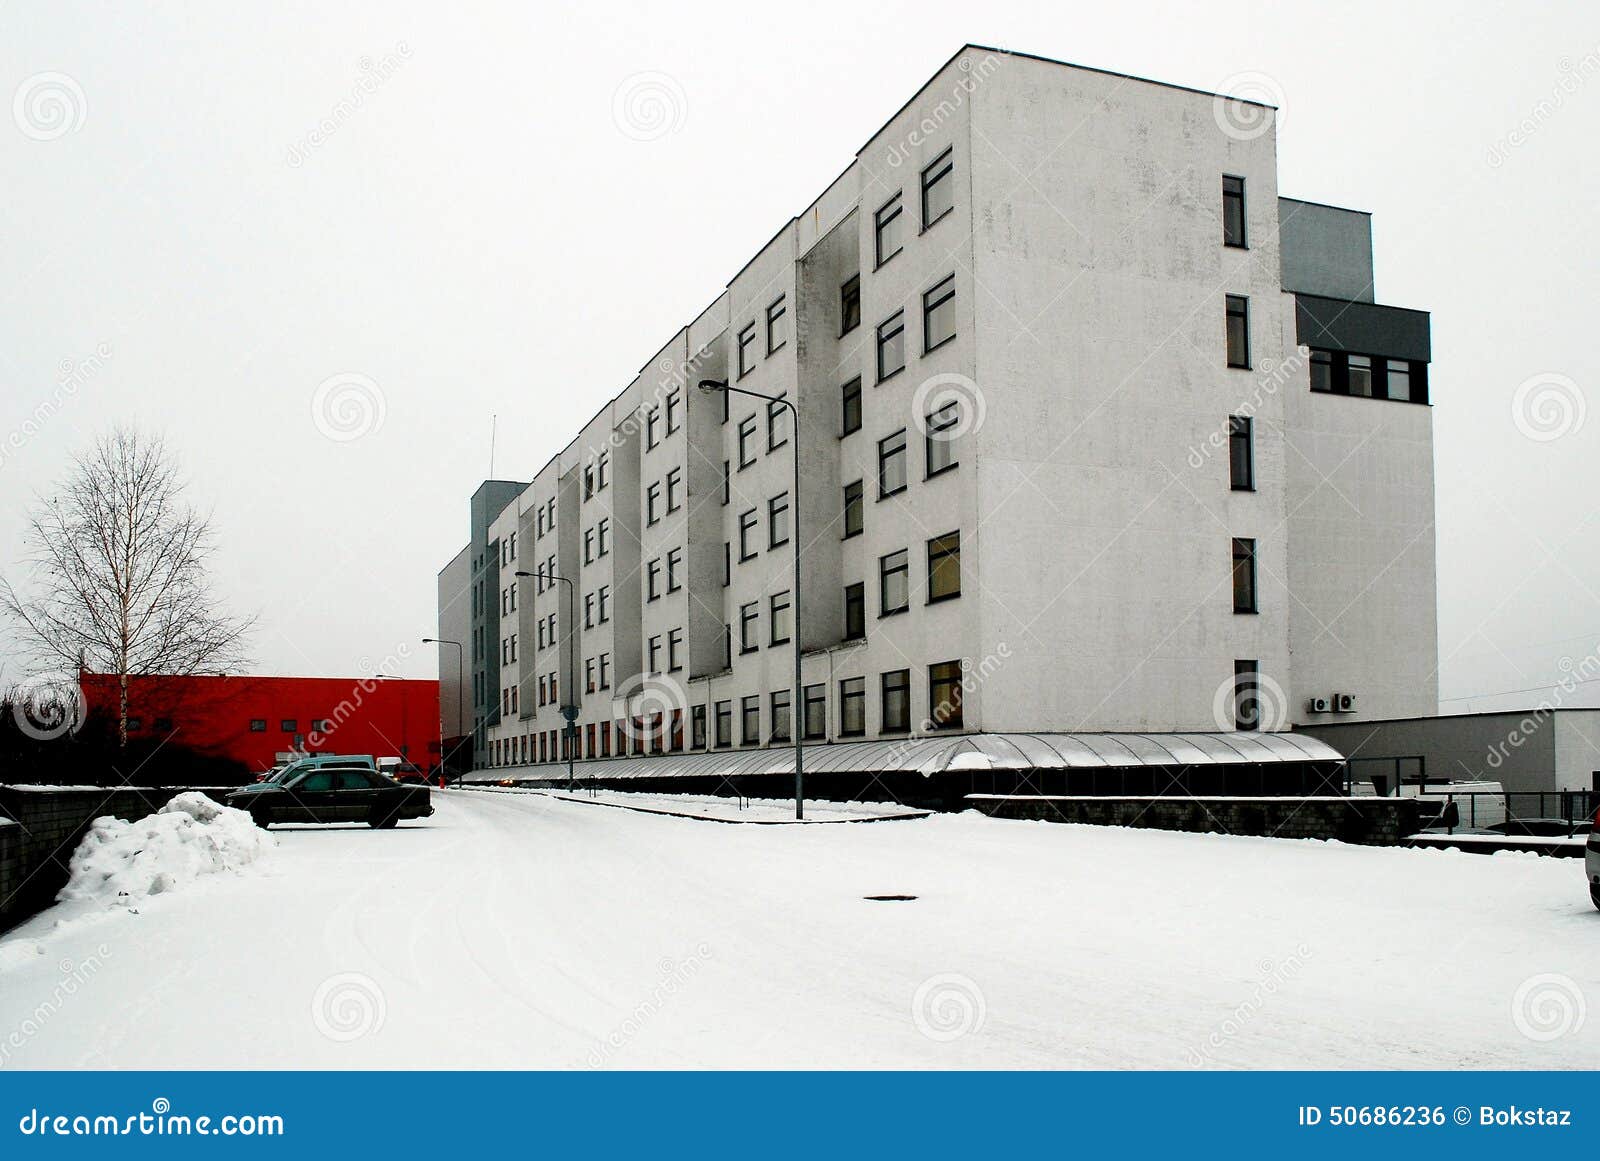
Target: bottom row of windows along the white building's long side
[714, 727]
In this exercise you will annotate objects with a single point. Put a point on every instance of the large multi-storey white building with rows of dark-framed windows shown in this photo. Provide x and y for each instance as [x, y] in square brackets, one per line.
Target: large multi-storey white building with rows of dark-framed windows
[1098, 436]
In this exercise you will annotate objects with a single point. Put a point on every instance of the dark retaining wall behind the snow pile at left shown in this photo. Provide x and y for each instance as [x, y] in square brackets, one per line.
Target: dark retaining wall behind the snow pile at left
[41, 831]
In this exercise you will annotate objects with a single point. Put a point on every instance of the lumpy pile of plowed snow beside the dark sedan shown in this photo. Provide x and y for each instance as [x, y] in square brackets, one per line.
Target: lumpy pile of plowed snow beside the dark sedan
[124, 863]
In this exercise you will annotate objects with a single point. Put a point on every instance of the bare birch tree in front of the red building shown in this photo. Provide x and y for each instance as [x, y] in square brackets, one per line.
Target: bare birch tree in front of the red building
[118, 569]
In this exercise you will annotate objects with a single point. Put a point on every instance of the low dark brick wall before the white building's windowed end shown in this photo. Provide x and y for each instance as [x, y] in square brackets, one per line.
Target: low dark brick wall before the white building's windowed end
[1370, 821]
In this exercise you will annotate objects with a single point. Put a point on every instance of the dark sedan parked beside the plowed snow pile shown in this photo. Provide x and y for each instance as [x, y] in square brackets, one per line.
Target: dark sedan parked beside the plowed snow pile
[332, 791]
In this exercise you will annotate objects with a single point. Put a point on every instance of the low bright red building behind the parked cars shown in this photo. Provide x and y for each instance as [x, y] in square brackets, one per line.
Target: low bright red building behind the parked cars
[260, 720]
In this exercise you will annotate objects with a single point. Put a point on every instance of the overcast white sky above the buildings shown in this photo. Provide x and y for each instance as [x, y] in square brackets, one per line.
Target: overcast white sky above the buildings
[482, 237]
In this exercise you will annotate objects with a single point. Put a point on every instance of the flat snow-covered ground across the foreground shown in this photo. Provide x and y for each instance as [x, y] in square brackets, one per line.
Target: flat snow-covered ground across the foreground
[527, 932]
